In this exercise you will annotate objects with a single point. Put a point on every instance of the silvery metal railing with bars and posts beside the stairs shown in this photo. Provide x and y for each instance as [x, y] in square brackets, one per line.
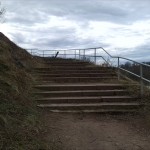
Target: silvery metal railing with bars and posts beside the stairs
[80, 54]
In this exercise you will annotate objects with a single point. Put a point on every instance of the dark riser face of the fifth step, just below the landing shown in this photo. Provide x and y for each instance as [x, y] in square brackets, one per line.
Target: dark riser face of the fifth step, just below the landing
[74, 88]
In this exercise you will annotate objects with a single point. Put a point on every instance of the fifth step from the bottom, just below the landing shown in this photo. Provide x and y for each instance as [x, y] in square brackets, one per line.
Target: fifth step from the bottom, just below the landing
[73, 87]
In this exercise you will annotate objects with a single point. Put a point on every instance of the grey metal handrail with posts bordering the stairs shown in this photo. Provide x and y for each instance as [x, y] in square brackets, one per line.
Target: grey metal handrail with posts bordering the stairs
[79, 56]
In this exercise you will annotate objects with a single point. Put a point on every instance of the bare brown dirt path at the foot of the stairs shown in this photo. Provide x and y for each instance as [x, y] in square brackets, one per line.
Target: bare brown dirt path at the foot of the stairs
[96, 132]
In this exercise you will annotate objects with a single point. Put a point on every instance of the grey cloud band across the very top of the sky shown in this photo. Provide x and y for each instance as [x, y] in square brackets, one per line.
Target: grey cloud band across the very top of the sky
[115, 11]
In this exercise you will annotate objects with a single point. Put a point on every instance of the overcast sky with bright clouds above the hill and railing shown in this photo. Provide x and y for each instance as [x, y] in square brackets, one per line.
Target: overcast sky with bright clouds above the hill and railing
[122, 27]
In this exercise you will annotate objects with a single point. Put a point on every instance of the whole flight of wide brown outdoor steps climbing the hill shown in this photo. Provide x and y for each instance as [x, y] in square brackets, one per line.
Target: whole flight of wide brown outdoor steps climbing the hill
[77, 86]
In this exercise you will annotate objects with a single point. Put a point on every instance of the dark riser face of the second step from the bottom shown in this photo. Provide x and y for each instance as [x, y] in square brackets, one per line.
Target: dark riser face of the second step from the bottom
[105, 107]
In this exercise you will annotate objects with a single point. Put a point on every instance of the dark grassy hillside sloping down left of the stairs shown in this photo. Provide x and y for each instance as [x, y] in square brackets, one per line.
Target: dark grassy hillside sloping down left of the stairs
[19, 125]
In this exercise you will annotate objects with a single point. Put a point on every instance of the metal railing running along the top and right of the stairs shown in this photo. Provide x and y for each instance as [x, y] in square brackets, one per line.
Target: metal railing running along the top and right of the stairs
[105, 58]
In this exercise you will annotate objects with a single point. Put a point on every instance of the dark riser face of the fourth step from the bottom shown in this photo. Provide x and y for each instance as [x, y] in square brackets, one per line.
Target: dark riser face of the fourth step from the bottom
[121, 93]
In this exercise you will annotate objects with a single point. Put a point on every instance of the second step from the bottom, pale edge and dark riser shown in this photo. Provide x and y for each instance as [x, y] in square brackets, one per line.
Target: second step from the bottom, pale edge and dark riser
[96, 106]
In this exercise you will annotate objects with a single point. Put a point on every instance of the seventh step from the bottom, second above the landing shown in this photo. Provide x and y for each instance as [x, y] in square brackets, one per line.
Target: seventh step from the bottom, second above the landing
[75, 75]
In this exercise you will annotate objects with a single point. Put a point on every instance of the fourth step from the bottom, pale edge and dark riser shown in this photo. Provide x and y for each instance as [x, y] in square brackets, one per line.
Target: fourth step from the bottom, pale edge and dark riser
[80, 93]
